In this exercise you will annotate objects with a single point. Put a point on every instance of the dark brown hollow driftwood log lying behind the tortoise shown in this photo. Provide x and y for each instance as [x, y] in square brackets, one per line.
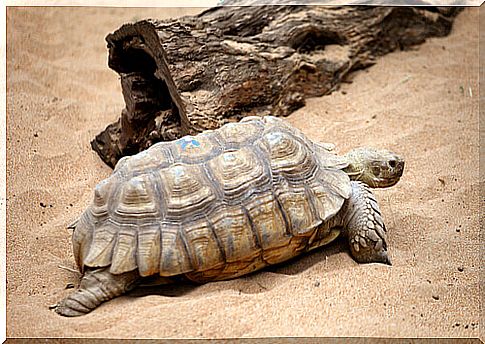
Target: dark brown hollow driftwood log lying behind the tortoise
[196, 73]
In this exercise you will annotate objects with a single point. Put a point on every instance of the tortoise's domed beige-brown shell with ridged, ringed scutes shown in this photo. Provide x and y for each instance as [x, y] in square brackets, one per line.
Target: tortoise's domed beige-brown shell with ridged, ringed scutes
[212, 206]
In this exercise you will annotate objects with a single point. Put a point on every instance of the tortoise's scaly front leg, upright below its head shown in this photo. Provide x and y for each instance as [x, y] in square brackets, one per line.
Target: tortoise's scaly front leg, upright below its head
[364, 226]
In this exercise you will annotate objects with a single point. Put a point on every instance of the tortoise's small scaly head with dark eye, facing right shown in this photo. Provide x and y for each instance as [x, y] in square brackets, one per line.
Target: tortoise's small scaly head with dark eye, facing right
[378, 168]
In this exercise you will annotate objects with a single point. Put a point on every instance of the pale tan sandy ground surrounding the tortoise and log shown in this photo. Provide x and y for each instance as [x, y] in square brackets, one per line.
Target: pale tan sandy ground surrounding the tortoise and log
[421, 103]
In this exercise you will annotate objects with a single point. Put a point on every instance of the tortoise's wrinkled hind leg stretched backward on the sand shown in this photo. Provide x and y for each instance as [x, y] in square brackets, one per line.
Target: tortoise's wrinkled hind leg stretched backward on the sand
[97, 286]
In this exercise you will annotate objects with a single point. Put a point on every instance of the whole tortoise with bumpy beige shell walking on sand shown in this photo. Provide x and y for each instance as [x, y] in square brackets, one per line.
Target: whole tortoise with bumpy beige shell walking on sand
[225, 203]
